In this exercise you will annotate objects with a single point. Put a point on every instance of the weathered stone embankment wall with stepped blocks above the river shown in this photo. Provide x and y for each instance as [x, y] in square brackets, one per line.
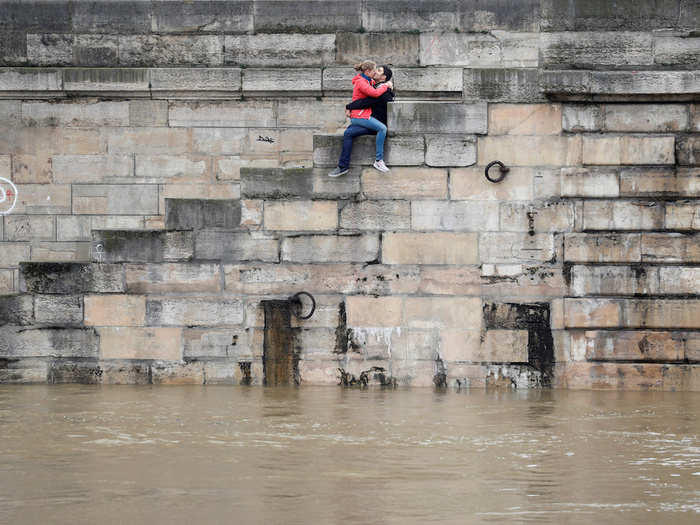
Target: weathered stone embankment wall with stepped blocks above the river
[170, 161]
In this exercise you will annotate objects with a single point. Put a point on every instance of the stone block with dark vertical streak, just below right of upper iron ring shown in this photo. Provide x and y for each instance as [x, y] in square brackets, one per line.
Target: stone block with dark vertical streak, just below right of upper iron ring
[545, 217]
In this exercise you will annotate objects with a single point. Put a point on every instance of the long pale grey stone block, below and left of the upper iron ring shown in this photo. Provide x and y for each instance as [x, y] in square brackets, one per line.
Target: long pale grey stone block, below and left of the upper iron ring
[454, 215]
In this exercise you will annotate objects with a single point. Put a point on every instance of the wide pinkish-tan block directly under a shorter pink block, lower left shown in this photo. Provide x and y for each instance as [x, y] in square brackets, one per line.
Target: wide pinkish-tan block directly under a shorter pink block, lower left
[123, 342]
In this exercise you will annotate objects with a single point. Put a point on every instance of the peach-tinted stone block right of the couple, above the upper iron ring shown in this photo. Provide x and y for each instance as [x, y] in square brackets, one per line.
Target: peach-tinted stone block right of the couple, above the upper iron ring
[525, 119]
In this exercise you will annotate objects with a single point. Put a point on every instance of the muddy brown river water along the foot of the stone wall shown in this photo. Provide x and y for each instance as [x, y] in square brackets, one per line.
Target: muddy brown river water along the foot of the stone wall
[216, 454]
